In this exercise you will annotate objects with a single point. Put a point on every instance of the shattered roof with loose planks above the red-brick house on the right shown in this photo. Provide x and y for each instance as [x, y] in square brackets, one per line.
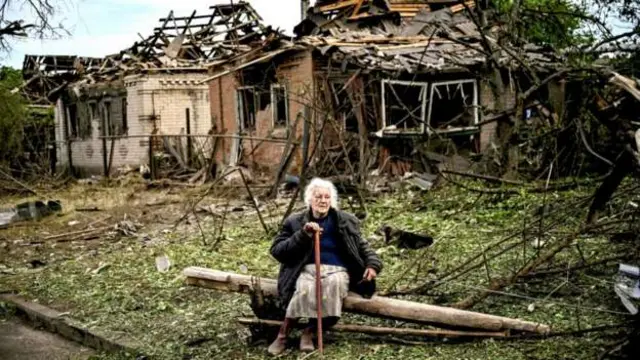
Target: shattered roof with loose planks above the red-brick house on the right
[407, 36]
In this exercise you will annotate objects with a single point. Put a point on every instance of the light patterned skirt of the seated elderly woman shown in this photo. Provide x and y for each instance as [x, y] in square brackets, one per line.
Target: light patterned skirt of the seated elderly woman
[335, 286]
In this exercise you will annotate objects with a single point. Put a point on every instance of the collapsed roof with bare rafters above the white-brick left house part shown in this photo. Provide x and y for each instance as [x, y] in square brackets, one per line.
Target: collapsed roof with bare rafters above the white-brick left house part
[180, 43]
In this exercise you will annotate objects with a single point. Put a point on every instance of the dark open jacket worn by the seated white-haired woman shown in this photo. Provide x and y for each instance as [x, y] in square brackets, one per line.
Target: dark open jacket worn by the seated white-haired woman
[293, 248]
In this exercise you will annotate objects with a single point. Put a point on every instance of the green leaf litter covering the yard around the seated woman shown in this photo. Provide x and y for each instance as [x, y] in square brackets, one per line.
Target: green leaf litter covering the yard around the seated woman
[128, 297]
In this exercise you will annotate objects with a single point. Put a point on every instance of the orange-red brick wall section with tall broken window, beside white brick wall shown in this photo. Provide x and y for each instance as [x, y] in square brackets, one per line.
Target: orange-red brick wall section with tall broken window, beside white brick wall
[294, 72]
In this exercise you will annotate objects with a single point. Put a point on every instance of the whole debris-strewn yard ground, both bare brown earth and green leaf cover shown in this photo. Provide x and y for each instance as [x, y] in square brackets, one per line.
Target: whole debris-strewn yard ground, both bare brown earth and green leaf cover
[111, 281]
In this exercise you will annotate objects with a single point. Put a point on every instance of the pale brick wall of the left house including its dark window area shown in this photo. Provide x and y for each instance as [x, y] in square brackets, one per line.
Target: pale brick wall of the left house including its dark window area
[142, 103]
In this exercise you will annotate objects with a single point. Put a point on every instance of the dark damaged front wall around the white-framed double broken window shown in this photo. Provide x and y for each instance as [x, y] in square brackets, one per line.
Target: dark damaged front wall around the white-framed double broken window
[434, 99]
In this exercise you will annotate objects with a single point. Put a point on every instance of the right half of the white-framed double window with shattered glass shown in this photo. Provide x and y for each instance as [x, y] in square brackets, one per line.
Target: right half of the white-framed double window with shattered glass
[454, 106]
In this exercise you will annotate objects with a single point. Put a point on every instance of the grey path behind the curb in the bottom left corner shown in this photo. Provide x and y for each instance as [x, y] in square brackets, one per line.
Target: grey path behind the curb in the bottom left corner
[20, 342]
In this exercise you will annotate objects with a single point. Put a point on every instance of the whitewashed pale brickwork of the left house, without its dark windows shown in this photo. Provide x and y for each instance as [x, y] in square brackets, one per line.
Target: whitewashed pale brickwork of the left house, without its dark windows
[165, 95]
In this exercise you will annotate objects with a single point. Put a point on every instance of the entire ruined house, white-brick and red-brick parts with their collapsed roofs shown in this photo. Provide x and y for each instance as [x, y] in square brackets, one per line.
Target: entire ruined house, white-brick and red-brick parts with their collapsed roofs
[361, 84]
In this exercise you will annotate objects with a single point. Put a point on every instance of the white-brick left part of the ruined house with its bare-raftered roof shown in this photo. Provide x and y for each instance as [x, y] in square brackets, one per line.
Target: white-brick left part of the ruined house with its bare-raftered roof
[149, 99]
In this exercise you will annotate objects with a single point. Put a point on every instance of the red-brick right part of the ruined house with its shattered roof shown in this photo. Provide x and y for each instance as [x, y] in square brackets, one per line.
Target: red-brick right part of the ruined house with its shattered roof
[365, 80]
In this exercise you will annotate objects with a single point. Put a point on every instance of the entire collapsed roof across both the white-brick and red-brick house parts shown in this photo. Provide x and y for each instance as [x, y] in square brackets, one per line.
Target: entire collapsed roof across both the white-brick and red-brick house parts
[387, 35]
